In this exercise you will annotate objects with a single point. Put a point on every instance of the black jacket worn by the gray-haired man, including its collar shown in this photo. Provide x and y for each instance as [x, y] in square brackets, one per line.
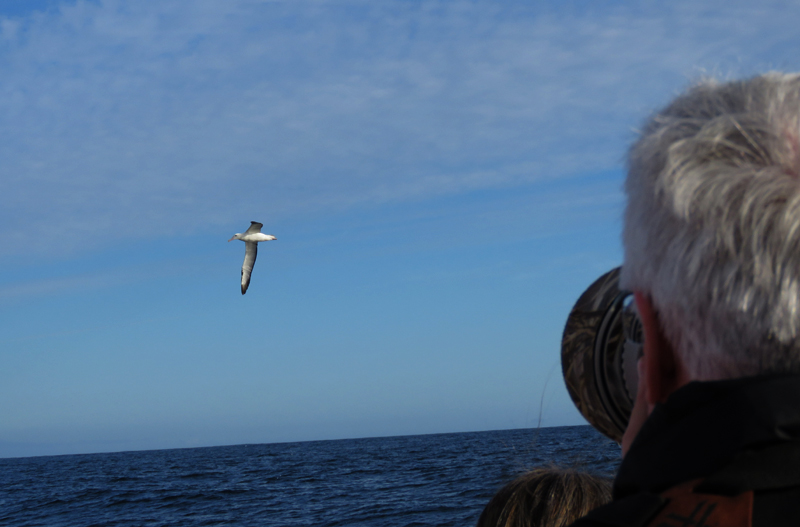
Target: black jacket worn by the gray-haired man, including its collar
[730, 437]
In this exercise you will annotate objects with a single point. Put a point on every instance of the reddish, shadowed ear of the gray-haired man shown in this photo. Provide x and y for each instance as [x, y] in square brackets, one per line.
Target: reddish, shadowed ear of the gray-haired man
[663, 370]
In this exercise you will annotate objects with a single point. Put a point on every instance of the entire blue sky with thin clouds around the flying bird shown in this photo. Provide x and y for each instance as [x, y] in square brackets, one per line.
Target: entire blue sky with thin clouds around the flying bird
[444, 179]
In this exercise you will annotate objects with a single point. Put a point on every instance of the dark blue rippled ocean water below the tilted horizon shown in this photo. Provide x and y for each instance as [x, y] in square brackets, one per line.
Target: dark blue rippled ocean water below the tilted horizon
[428, 480]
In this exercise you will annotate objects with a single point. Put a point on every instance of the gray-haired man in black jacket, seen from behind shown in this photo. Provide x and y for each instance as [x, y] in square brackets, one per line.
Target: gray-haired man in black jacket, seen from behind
[712, 253]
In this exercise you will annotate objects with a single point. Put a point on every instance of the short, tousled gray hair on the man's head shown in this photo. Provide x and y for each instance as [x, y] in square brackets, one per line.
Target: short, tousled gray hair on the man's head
[712, 225]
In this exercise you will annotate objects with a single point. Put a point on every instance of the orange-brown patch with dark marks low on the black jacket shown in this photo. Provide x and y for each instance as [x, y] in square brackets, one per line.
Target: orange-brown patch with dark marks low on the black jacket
[686, 508]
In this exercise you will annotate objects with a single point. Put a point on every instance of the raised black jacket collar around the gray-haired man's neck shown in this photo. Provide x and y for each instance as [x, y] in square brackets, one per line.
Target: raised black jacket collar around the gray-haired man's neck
[704, 425]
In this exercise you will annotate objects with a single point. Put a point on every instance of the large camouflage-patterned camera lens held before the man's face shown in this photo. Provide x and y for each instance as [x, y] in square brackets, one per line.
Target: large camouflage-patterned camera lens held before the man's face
[600, 349]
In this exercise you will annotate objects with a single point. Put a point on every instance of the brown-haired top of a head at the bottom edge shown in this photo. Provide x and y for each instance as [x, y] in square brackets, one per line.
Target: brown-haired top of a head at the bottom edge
[546, 497]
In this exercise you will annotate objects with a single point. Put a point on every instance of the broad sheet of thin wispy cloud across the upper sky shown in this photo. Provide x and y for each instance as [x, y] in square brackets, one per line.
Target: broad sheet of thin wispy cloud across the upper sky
[147, 119]
